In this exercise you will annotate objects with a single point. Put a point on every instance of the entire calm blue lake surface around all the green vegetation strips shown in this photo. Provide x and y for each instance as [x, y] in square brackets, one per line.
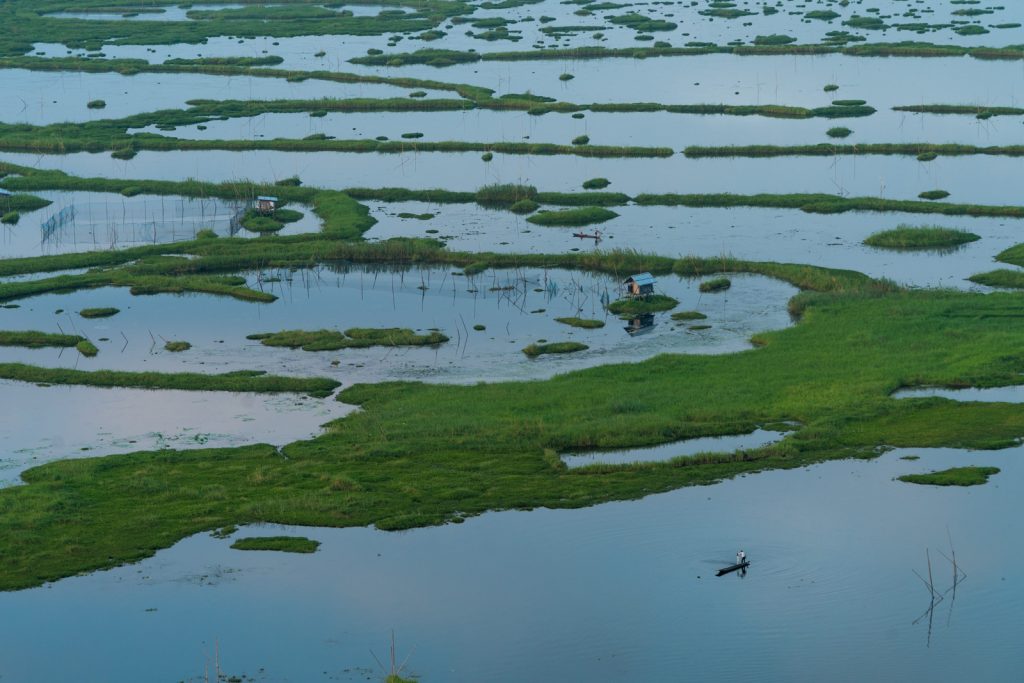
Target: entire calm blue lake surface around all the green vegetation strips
[618, 592]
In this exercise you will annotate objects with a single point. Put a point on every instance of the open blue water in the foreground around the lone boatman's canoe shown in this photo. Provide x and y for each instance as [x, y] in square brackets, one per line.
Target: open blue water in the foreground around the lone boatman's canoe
[624, 591]
